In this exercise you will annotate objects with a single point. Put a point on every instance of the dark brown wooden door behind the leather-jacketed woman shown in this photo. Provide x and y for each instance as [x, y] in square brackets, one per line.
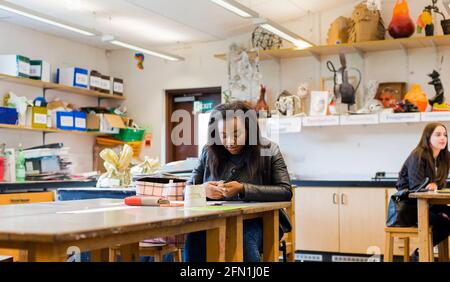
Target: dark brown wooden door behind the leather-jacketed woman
[184, 100]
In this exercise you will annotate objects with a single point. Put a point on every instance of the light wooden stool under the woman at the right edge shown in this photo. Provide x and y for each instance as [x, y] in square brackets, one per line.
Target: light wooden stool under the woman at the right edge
[406, 233]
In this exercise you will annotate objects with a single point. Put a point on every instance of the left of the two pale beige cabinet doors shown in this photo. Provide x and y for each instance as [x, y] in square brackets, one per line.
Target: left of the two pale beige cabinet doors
[317, 219]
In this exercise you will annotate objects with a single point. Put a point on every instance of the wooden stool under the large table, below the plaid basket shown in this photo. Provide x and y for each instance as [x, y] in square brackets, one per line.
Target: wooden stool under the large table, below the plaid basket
[151, 250]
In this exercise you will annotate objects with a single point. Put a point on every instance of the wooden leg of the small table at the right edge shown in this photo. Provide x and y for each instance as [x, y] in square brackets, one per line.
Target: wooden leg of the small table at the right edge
[425, 250]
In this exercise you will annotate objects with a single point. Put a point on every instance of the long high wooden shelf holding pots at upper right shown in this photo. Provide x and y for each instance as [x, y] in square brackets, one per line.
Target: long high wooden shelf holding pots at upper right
[358, 48]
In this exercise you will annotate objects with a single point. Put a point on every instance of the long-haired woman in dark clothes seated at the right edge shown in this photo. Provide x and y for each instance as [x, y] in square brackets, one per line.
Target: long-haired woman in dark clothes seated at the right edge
[430, 159]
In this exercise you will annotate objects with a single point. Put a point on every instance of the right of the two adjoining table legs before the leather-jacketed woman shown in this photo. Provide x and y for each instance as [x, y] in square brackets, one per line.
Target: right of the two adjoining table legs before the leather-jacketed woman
[234, 239]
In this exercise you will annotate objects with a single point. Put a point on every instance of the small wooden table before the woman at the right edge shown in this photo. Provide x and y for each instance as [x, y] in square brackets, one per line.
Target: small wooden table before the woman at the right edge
[423, 202]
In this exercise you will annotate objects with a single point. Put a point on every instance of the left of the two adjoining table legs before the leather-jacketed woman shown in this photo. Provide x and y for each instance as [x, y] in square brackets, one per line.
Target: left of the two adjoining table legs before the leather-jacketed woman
[215, 243]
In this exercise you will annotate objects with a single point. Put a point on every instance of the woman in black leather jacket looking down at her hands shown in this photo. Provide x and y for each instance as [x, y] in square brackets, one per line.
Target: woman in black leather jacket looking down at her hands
[237, 164]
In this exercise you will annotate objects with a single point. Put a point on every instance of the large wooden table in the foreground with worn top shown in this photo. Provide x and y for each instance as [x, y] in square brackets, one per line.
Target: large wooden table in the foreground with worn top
[49, 230]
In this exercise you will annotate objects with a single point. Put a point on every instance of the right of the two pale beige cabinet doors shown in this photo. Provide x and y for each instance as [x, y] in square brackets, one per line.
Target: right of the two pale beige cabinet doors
[362, 216]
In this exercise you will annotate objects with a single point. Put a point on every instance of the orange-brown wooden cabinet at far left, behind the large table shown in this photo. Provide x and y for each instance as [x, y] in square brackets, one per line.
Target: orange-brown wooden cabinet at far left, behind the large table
[23, 198]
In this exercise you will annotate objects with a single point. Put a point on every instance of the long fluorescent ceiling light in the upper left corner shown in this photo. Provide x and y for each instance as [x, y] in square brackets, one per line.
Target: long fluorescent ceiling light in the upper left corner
[33, 15]
